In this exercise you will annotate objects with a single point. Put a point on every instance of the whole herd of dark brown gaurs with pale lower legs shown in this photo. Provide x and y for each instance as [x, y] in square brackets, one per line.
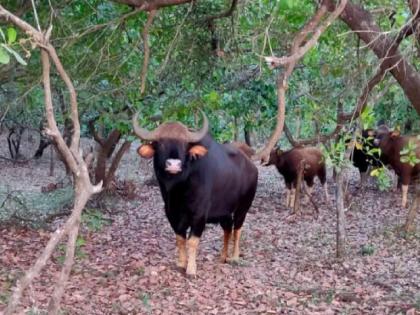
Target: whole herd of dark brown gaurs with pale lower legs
[202, 181]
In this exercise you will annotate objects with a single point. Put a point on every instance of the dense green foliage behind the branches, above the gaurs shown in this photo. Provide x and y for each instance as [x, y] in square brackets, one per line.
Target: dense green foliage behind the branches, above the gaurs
[196, 63]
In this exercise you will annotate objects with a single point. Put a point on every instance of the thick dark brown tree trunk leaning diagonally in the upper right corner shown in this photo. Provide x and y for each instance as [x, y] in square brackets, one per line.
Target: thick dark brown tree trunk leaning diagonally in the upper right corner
[384, 47]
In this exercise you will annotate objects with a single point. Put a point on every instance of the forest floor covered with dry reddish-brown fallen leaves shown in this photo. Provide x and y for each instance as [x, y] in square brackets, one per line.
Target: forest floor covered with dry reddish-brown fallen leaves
[126, 259]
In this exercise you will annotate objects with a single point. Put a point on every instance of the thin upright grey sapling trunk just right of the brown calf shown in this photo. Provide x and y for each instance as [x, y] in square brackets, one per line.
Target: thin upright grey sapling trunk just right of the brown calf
[341, 219]
